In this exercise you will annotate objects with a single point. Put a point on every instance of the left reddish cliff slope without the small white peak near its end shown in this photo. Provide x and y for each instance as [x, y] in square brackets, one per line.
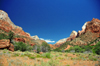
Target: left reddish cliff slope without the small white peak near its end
[7, 25]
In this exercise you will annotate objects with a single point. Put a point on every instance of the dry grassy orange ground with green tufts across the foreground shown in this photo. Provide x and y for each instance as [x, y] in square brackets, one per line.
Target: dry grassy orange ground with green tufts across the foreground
[18, 58]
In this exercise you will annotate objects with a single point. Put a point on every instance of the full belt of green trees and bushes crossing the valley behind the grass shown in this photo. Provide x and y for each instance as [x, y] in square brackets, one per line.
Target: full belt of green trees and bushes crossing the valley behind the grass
[44, 47]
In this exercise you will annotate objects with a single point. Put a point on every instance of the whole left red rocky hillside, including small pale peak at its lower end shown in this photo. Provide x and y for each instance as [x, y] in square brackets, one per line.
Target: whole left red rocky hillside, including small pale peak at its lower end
[6, 26]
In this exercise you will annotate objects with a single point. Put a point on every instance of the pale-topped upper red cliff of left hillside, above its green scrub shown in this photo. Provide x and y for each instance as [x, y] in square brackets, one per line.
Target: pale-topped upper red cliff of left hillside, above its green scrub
[7, 25]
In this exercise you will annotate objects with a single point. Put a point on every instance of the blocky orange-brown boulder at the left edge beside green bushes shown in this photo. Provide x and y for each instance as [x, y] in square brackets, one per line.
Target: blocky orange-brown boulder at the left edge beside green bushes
[5, 44]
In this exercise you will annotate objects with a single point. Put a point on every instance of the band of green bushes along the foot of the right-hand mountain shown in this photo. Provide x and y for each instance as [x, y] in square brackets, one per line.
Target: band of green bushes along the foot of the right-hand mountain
[82, 49]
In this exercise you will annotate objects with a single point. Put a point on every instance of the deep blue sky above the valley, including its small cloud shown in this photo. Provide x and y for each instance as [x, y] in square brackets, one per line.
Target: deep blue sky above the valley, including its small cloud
[51, 20]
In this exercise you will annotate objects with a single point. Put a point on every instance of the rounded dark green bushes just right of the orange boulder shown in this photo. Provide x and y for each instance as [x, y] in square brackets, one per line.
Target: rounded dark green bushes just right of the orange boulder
[22, 46]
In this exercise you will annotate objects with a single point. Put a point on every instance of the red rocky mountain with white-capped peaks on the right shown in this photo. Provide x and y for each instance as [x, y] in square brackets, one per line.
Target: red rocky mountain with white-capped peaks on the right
[89, 34]
